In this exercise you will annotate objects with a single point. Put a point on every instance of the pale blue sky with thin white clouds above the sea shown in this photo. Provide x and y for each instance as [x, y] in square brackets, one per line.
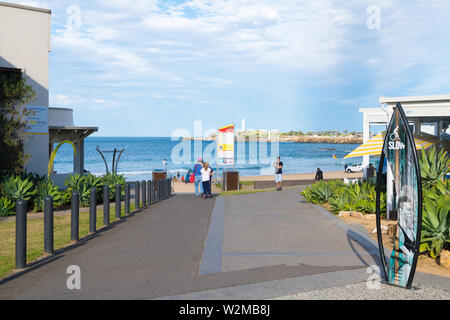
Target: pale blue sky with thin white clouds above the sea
[150, 67]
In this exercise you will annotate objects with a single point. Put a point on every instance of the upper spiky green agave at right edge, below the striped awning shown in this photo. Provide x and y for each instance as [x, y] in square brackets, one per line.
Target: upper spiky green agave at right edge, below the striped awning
[433, 167]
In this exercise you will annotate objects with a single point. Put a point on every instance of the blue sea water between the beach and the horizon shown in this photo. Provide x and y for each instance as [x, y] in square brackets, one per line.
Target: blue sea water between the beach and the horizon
[143, 155]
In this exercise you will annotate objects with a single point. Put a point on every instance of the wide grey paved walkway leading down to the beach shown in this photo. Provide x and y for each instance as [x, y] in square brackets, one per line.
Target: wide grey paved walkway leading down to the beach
[253, 246]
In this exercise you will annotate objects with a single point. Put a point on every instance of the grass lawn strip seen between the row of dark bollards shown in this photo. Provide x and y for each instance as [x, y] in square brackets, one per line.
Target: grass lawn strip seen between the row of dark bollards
[35, 236]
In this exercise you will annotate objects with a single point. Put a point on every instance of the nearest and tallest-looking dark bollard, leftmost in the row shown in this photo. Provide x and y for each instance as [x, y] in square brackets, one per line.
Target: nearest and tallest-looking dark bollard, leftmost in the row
[21, 234]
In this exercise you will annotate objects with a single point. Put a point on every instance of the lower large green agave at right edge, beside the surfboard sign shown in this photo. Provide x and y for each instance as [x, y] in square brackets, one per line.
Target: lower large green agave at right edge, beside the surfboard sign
[435, 225]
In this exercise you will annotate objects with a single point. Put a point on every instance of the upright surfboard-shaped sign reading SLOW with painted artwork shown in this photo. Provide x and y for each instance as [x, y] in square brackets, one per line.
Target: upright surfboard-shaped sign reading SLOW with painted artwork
[399, 158]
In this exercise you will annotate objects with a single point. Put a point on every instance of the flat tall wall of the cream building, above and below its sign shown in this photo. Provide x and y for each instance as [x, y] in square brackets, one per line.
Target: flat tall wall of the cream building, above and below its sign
[25, 44]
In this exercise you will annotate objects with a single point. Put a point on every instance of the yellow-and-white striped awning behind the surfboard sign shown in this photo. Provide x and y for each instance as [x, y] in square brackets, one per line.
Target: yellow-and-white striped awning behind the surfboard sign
[373, 146]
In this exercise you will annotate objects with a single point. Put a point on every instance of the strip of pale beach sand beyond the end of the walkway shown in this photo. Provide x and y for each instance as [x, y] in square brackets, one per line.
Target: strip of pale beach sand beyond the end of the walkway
[181, 187]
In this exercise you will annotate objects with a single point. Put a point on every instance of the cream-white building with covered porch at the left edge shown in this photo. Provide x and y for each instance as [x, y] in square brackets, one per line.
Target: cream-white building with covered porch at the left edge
[25, 43]
